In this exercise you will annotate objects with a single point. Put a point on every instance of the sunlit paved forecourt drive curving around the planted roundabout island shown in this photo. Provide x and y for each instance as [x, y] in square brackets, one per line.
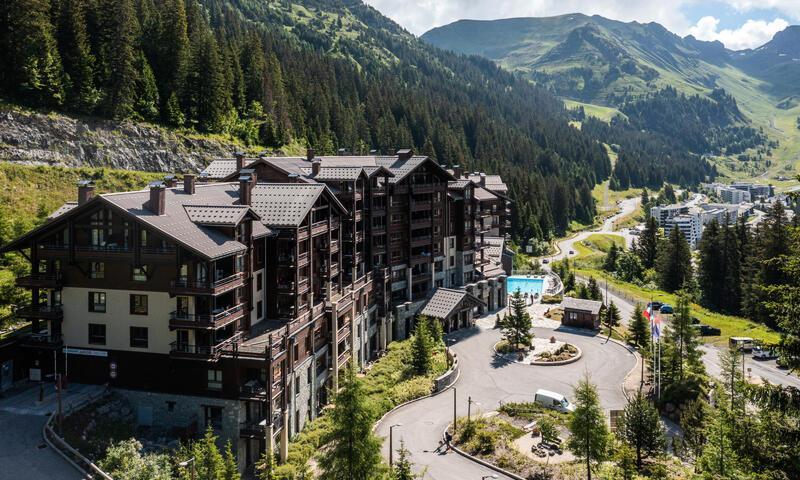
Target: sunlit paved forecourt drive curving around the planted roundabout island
[489, 381]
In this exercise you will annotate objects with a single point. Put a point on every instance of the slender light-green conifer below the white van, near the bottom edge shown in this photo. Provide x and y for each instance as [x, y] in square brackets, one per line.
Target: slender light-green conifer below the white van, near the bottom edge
[589, 438]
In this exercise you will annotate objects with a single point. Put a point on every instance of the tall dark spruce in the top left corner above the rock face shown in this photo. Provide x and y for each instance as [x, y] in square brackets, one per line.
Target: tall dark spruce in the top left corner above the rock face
[33, 67]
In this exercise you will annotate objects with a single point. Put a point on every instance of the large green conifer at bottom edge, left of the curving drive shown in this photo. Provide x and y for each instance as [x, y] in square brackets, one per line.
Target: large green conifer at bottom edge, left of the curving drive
[353, 451]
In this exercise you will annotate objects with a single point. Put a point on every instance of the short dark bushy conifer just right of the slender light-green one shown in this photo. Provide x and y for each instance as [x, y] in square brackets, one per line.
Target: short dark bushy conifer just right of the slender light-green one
[640, 427]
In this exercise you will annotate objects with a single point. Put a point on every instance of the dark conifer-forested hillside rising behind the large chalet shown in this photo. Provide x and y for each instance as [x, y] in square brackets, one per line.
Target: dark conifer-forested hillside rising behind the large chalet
[323, 73]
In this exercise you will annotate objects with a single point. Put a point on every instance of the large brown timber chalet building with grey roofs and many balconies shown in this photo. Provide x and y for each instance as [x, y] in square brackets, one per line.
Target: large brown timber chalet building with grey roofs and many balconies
[233, 298]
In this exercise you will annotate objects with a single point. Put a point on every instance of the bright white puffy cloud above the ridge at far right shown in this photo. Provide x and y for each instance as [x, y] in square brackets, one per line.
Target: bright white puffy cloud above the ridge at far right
[752, 34]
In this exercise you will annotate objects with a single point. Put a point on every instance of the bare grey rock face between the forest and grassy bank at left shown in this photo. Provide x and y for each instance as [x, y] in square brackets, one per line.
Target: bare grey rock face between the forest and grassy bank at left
[55, 139]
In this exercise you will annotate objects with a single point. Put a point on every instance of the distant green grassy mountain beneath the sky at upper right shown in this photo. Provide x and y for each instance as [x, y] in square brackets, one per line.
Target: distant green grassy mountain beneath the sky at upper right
[607, 63]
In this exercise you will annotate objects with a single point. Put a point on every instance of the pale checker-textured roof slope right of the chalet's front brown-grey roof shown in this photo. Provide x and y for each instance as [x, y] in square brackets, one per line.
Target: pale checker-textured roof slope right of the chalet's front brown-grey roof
[285, 204]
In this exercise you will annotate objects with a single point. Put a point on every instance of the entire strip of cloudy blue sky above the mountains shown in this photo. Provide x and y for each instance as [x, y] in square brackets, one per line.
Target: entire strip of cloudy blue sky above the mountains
[736, 23]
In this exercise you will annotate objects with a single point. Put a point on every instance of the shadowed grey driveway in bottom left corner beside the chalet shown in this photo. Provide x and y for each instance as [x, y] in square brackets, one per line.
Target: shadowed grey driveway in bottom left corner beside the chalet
[23, 453]
